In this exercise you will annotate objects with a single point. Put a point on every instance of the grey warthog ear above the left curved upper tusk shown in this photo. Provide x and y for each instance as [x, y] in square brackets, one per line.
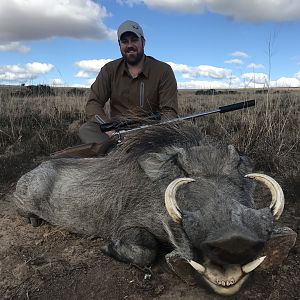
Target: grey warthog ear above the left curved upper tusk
[159, 165]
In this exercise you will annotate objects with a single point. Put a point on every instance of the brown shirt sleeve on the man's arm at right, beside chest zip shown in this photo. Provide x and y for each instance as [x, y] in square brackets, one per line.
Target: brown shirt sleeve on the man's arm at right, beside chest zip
[168, 101]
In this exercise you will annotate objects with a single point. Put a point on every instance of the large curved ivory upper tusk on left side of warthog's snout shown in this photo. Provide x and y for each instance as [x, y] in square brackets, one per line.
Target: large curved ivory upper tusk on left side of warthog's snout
[170, 198]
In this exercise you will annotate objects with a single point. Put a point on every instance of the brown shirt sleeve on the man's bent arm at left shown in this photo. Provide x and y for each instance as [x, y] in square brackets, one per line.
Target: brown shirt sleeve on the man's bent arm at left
[99, 95]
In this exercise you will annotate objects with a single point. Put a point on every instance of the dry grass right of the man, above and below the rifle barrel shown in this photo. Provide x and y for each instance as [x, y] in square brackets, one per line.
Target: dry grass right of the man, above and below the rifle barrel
[269, 133]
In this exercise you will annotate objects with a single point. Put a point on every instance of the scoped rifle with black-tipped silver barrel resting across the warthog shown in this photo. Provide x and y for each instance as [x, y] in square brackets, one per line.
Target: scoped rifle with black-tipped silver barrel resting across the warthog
[93, 149]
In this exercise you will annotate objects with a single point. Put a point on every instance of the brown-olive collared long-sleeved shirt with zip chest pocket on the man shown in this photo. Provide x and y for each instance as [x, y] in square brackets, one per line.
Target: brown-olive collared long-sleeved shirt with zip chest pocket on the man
[153, 90]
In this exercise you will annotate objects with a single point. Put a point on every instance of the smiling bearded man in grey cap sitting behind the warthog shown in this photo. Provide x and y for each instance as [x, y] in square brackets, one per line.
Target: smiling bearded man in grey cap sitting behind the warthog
[136, 85]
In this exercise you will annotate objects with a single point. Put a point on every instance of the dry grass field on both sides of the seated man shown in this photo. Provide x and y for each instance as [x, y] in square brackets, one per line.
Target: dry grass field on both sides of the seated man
[269, 133]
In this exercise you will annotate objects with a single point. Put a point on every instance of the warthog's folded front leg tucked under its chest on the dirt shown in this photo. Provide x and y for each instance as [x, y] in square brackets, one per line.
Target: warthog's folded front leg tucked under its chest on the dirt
[135, 245]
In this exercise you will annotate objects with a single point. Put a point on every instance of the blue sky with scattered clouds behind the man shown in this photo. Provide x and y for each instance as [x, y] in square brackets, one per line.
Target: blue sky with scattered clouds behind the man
[208, 43]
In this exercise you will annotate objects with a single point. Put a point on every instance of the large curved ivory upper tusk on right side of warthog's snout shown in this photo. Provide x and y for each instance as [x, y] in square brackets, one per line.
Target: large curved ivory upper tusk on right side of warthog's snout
[277, 203]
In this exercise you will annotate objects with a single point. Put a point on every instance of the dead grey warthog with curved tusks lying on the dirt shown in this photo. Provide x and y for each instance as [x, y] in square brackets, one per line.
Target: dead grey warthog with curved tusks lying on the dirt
[170, 185]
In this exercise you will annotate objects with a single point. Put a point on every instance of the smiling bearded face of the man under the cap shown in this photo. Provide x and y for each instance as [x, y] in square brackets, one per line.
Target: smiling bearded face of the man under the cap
[132, 48]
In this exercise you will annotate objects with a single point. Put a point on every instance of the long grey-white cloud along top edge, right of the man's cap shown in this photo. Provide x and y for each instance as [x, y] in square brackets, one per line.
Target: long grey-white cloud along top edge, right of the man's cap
[257, 11]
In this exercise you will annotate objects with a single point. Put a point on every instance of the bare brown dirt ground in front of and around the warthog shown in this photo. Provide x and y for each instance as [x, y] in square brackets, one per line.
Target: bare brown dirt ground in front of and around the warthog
[49, 263]
